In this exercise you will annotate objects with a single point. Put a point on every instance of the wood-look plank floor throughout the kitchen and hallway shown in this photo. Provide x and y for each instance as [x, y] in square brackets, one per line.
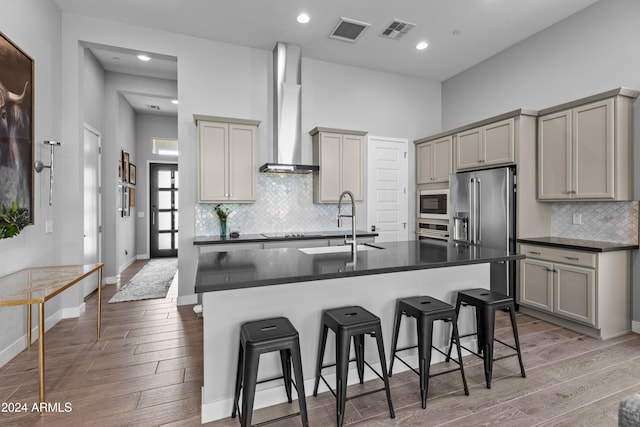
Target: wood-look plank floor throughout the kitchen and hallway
[146, 370]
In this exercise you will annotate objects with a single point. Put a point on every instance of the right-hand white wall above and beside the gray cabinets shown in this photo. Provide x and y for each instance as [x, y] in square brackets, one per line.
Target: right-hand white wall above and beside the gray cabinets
[590, 52]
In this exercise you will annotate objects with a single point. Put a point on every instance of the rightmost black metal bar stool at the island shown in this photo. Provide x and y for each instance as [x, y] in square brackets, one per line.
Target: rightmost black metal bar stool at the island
[487, 303]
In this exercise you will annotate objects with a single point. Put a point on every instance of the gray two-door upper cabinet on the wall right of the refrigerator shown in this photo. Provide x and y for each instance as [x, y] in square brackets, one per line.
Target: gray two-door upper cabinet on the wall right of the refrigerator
[584, 149]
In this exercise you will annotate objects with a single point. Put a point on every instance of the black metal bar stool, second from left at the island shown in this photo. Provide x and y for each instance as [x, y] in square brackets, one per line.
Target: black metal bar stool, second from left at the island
[348, 322]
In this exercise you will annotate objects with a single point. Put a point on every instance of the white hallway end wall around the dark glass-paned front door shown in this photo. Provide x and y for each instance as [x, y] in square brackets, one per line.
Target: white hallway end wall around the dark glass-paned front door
[149, 126]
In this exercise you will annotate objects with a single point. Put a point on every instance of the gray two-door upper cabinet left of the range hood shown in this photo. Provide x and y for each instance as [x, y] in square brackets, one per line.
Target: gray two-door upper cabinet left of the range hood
[227, 159]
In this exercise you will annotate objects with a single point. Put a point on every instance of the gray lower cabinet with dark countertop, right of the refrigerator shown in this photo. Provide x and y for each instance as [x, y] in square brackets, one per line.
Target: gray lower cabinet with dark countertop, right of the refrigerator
[585, 291]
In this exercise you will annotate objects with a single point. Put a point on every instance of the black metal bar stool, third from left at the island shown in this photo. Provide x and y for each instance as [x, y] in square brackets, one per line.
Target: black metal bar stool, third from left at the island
[425, 310]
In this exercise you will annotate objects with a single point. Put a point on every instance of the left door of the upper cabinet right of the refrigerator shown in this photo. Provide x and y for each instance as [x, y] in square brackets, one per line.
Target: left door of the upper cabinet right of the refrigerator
[554, 156]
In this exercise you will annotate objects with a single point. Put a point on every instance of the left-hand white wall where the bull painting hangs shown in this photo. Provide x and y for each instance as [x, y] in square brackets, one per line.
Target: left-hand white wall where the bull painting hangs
[35, 27]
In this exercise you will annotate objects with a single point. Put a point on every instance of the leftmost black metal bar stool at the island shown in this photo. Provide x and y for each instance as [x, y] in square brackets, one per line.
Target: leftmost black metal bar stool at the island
[264, 336]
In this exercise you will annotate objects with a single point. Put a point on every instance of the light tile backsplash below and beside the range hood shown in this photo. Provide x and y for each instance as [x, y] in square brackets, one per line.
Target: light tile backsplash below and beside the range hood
[284, 203]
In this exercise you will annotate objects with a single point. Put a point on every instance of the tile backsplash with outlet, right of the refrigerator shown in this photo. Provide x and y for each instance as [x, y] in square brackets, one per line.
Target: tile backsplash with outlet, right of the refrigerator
[601, 221]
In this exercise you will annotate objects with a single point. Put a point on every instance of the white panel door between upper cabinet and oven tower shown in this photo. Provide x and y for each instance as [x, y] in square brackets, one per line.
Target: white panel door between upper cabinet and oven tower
[387, 202]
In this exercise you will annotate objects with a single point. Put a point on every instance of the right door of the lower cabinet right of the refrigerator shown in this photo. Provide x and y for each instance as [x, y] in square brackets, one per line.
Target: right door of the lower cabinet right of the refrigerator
[574, 295]
